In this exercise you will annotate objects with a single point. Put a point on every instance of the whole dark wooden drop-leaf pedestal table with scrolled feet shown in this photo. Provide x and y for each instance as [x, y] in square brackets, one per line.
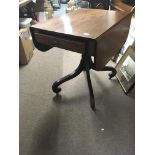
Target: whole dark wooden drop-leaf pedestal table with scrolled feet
[90, 32]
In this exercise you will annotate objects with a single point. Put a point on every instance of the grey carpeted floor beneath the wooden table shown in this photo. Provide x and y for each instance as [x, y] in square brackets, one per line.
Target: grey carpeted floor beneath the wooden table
[67, 125]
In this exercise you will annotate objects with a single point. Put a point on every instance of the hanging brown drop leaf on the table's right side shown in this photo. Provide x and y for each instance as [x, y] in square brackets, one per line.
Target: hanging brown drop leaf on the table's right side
[111, 42]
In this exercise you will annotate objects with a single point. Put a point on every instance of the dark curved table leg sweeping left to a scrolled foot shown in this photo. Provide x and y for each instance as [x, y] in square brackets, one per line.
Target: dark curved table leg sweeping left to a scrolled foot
[79, 69]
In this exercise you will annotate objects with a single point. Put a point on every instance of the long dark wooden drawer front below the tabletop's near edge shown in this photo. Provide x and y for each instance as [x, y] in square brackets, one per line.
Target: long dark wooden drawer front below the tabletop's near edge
[53, 41]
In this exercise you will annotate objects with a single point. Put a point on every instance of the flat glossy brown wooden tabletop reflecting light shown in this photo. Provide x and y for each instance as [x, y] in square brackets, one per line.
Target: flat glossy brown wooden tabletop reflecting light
[87, 23]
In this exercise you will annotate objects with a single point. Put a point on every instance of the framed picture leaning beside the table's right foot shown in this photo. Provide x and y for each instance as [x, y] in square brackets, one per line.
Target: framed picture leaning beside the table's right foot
[126, 69]
